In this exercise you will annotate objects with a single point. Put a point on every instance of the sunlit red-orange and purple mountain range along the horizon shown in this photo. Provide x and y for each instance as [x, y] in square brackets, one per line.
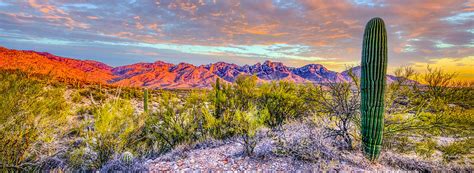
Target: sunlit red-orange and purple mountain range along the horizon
[165, 75]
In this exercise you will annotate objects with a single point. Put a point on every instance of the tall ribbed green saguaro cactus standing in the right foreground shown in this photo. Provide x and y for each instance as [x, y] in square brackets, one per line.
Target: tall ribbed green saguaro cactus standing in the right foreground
[373, 81]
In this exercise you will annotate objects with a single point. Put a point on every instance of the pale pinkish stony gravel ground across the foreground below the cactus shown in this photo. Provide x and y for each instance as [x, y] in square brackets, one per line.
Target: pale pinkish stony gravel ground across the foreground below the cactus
[303, 150]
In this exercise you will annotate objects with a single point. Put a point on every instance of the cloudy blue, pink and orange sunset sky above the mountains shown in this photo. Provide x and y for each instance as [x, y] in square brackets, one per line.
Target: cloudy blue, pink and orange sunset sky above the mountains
[439, 33]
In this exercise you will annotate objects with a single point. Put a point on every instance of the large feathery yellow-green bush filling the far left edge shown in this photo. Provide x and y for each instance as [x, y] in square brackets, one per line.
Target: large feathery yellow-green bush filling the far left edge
[31, 116]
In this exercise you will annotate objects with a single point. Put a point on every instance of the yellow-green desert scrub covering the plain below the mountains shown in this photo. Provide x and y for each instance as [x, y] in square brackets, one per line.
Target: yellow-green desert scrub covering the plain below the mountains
[47, 125]
